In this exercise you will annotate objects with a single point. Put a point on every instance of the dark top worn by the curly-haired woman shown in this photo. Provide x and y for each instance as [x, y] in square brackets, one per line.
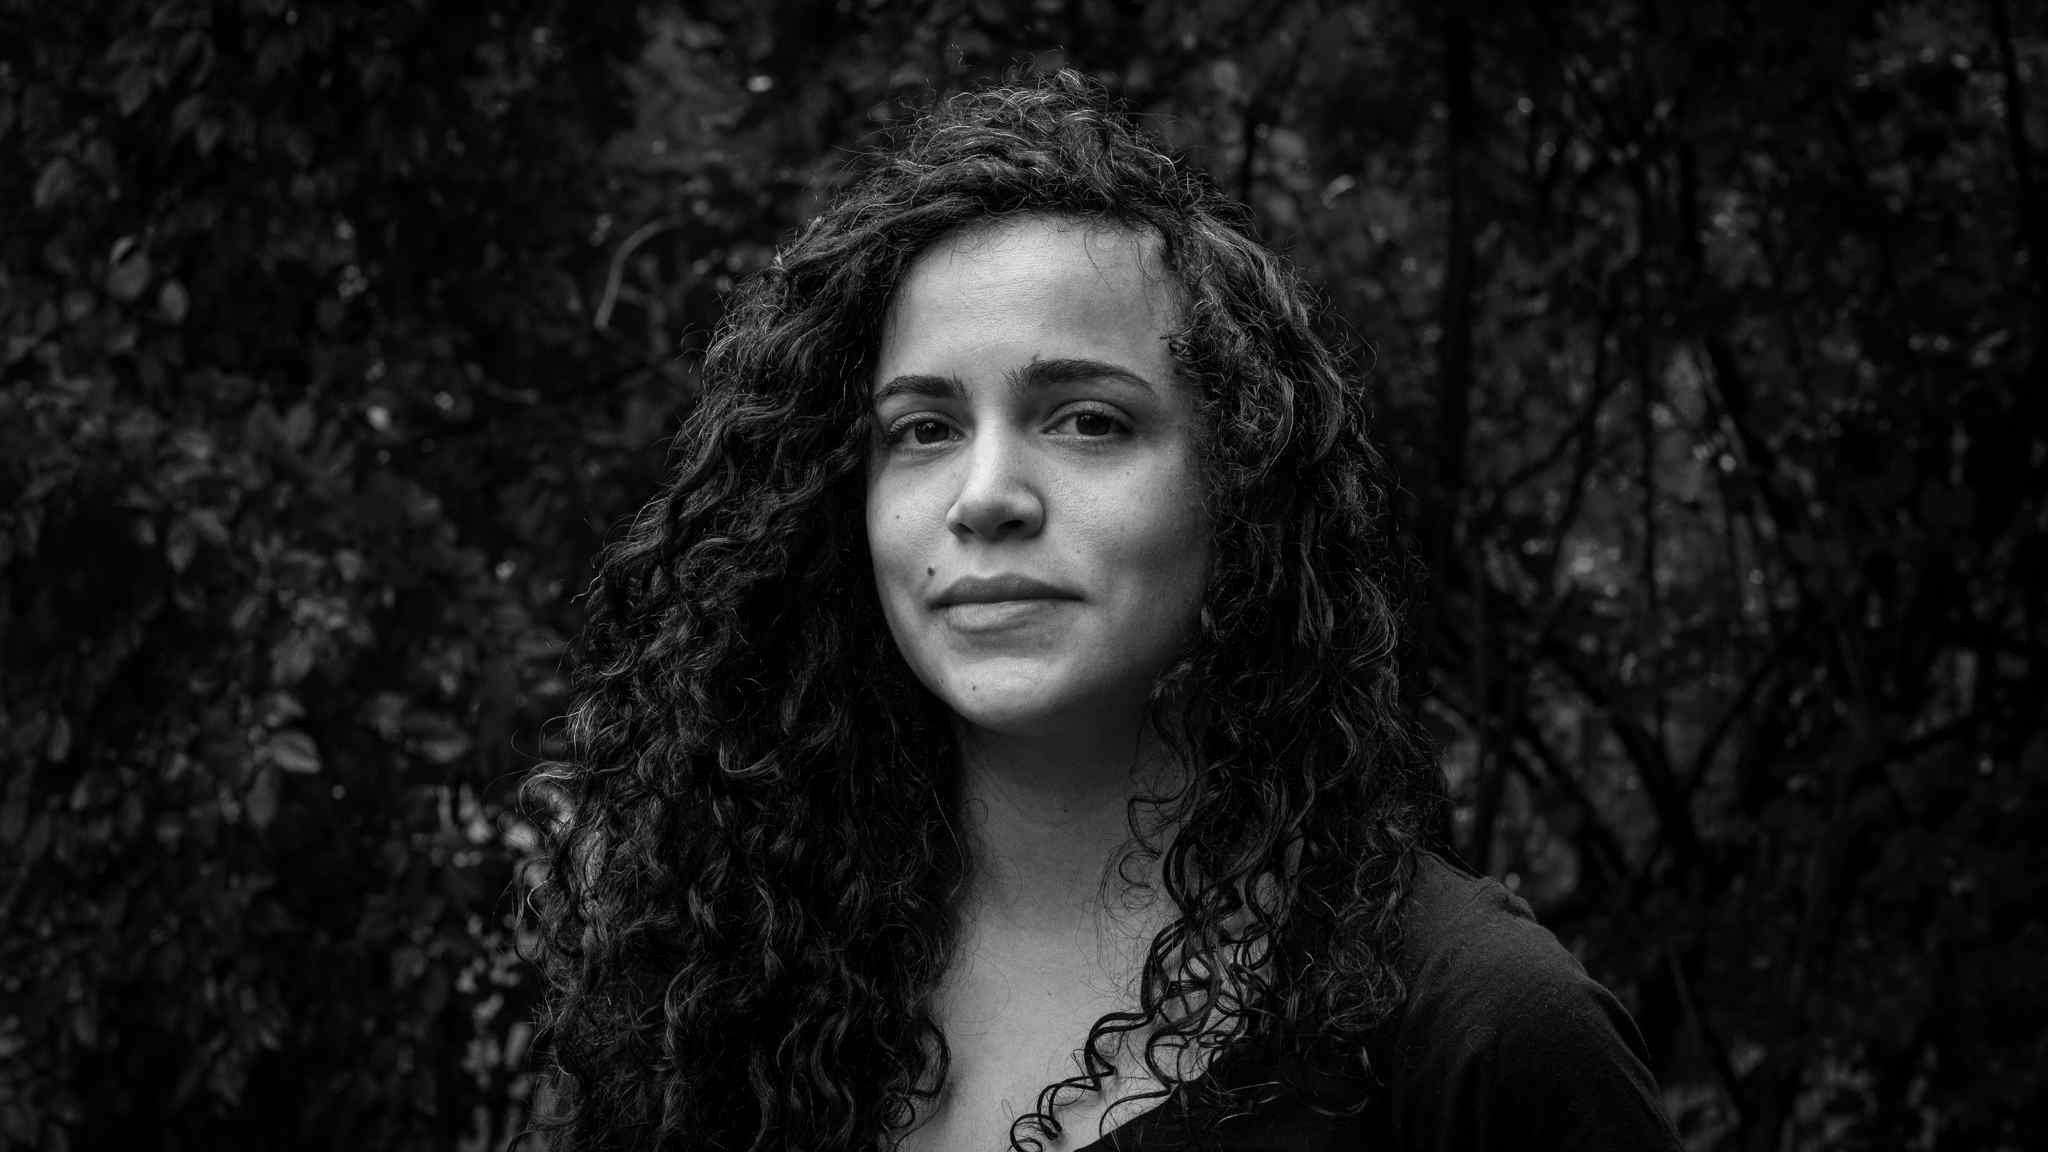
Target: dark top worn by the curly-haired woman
[1504, 1042]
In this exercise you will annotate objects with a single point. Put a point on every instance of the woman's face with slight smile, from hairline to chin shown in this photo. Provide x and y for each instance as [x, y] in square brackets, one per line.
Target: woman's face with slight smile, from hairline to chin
[1033, 491]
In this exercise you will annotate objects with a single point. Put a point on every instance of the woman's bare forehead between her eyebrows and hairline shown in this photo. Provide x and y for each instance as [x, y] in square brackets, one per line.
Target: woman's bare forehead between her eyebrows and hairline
[1050, 286]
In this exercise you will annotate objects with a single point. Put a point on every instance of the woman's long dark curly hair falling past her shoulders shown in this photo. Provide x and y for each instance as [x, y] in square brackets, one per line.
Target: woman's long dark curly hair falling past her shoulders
[749, 868]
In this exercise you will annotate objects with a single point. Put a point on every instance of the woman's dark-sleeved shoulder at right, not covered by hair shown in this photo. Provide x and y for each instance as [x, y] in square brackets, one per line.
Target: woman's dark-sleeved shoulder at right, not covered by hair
[1504, 1034]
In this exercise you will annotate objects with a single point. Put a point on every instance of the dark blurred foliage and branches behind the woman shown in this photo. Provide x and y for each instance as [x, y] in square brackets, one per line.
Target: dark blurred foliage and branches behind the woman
[339, 337]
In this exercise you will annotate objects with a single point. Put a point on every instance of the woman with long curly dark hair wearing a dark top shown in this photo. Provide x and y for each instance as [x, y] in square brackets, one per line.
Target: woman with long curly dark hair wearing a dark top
[990, 733]
